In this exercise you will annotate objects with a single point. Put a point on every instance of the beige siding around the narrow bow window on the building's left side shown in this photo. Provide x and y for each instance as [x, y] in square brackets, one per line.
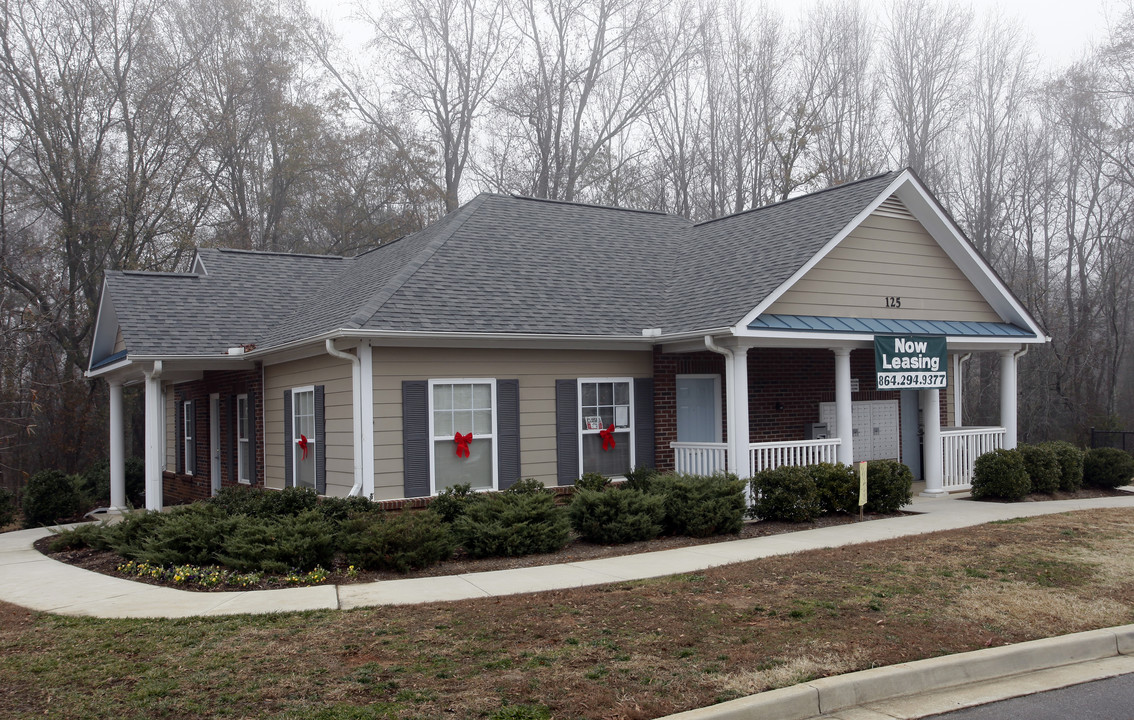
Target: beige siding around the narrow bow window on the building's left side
[335, 376]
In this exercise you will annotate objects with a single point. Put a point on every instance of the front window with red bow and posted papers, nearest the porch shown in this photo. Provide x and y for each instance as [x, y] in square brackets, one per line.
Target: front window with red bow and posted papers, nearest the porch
[606, 417]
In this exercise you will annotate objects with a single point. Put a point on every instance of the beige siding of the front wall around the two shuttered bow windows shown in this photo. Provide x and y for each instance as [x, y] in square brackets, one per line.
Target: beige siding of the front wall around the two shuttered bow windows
[537, 371]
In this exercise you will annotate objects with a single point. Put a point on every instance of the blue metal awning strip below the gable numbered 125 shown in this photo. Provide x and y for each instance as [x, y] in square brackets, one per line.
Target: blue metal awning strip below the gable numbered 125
[879, 326]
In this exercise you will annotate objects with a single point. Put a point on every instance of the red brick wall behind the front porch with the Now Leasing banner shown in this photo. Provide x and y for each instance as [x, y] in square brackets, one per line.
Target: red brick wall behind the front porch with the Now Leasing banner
[785, 389]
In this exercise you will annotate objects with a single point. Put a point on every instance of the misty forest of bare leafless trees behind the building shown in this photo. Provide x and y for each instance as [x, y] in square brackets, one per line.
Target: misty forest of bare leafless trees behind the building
[133, 131]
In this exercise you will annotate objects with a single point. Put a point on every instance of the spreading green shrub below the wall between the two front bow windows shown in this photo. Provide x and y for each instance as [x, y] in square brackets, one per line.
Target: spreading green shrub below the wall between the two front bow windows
[506, 524]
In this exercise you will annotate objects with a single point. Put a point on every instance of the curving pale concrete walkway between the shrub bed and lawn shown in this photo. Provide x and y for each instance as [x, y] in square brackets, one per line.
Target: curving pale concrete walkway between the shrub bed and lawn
[35, 581]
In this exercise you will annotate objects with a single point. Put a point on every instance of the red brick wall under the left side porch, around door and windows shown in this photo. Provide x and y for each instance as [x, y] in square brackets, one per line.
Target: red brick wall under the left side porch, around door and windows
[183, 488]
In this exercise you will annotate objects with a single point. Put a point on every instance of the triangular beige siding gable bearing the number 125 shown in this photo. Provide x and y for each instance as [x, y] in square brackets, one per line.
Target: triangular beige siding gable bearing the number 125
[890, 256]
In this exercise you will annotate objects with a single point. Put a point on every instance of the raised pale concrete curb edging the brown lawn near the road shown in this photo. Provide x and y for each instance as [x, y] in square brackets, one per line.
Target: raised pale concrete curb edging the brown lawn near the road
[834, 694]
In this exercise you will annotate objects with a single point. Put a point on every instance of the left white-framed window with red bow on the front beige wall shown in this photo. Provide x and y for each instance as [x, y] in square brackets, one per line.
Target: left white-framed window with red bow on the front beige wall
[464, 409]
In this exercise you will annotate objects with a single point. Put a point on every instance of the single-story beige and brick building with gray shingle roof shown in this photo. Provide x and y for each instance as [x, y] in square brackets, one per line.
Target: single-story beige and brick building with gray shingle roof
[530, 338]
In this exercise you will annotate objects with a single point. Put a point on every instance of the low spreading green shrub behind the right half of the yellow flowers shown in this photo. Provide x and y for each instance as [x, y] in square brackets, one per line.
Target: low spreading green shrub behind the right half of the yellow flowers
[276, 545]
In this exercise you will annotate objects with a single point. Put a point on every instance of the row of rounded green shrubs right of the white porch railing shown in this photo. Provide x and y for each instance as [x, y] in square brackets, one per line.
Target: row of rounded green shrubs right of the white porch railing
[1047, 468]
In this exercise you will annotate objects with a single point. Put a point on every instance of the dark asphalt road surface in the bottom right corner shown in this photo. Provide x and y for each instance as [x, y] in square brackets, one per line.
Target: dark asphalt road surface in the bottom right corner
[1112, 699]
